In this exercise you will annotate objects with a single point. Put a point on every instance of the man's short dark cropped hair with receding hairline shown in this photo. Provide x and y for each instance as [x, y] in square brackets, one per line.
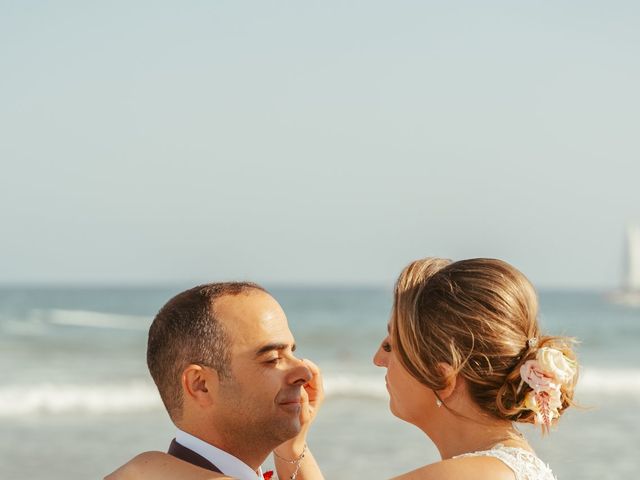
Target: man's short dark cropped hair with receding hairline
[186, 331]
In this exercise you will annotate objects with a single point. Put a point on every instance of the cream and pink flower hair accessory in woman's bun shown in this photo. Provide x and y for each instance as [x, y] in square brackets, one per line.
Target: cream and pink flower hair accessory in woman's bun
[545, 375]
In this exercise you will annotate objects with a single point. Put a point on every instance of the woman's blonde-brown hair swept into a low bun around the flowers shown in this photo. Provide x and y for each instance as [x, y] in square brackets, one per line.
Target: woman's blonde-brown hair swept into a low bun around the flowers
[476, 315]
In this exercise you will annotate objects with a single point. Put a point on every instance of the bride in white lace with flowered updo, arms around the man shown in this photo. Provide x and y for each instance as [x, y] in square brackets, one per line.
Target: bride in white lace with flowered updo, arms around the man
[465, 362]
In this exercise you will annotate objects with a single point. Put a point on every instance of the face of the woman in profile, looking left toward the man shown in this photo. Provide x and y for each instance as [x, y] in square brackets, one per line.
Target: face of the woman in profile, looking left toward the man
[408, 398]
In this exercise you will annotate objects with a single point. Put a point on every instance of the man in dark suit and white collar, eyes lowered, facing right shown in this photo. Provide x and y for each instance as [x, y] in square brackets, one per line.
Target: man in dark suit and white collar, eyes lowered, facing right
[222, 357]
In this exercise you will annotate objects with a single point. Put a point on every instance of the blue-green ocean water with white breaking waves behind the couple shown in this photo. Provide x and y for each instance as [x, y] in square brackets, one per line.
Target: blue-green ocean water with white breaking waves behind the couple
[76, 399]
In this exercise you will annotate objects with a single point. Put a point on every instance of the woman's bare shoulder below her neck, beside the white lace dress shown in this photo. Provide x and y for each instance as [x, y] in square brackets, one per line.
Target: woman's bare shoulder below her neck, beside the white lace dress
[469, 468]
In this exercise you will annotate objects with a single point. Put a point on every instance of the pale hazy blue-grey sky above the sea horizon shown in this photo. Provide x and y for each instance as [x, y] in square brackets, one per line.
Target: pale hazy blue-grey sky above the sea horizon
[316, 142]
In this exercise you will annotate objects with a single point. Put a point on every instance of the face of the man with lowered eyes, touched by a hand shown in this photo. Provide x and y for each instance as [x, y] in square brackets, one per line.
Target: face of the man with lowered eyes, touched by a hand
[262, 397]
